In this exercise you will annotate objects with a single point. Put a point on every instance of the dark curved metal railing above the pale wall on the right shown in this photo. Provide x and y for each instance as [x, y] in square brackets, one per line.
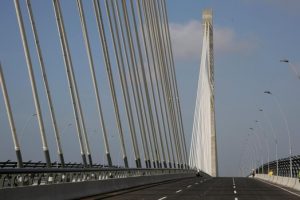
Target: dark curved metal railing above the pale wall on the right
[283, 167]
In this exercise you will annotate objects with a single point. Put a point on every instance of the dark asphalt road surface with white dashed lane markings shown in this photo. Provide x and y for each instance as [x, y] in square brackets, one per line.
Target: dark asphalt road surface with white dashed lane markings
[200, 188]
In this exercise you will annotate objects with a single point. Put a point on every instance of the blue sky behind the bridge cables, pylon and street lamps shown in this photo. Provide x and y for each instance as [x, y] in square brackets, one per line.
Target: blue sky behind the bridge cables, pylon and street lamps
[250, 39]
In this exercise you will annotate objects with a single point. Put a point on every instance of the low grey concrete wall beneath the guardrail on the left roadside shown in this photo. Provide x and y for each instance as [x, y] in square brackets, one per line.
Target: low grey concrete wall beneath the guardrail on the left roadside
[83, 189]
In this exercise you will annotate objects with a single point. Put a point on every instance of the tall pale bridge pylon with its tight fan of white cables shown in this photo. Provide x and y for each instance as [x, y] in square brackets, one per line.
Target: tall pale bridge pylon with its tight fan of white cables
[203, 153]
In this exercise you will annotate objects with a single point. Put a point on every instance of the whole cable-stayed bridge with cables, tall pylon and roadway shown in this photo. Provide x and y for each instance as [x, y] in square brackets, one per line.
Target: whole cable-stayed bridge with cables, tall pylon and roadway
[134, 39]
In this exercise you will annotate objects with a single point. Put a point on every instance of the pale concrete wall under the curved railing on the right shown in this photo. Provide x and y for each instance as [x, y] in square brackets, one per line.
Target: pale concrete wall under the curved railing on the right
[292, 183]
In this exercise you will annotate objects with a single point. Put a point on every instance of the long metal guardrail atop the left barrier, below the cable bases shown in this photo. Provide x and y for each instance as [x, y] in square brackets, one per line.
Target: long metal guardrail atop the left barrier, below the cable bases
[11, 178]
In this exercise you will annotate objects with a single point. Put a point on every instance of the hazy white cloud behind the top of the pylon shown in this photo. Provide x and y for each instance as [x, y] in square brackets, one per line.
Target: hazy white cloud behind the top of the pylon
[187, 40]
